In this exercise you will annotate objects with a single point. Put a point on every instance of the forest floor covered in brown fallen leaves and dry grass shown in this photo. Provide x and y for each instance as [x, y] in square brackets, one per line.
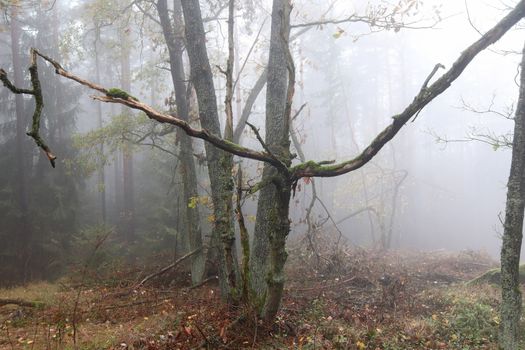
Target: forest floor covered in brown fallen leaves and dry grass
[348, 299]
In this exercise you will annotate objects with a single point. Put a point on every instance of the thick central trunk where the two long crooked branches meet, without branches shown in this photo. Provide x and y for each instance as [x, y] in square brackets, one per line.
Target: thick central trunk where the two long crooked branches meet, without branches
[272, 223]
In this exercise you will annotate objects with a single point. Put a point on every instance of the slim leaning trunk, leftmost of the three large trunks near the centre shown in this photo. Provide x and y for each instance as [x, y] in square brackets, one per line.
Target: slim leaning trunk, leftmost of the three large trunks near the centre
[174, 42]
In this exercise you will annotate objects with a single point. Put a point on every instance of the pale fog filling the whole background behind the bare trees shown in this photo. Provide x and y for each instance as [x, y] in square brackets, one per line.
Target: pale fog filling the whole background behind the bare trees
[439, 185]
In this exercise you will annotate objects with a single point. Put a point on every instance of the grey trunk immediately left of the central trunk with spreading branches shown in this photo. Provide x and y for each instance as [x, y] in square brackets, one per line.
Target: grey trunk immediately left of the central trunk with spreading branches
[220, 163]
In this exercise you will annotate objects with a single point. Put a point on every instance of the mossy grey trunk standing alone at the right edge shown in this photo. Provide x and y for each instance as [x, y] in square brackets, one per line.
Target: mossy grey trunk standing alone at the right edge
[513, 230]
